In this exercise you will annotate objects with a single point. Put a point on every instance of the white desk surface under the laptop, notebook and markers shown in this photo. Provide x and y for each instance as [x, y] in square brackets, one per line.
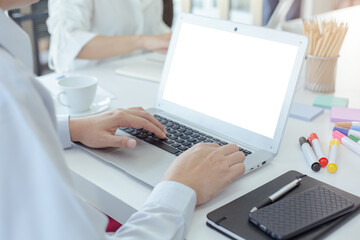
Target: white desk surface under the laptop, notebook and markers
[119, 195]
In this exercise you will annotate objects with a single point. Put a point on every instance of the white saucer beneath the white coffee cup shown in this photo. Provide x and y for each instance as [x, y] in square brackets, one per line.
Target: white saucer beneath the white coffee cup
[101, 103]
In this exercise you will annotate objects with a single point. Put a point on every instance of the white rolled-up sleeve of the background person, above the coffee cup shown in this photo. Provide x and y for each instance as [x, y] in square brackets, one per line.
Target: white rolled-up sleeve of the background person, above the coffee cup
[69, 24]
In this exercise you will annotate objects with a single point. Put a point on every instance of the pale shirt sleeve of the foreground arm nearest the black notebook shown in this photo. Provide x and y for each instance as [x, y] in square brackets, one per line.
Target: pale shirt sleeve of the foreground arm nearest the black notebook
[166, 214]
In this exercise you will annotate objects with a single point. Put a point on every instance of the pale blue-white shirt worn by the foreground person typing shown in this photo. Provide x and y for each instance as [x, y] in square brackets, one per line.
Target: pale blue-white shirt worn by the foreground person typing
[37, 197]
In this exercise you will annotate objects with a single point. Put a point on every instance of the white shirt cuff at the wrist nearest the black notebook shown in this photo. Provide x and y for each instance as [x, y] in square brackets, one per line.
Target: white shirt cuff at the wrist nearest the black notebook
[176, 196]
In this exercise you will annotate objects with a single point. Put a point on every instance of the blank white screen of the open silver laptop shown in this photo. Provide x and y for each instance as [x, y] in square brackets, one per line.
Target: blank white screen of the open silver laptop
[227, 75]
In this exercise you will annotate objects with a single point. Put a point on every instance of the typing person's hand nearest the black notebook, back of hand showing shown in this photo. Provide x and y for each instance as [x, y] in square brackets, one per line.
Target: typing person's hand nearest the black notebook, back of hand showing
[207, 168]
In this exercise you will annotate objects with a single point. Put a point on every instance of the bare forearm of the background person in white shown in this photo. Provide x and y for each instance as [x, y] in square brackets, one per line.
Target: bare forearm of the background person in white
[102, 47]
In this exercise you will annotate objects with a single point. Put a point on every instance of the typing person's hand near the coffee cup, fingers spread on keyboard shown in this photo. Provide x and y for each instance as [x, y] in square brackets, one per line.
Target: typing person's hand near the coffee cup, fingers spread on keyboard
[98, 131]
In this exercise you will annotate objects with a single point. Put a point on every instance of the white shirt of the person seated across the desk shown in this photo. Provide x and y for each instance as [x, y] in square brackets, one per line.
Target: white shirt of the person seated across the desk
[73, 23]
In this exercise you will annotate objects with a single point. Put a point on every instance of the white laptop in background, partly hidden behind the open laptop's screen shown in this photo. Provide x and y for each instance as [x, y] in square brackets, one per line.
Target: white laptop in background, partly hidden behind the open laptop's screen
[148, 66]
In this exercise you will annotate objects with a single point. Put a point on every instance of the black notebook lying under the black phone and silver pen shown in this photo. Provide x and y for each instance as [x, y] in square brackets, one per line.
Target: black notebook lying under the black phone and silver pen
[232, 219]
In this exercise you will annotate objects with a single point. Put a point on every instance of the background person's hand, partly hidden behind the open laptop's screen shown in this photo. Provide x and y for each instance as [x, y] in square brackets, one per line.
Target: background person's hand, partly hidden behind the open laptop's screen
[158, 43]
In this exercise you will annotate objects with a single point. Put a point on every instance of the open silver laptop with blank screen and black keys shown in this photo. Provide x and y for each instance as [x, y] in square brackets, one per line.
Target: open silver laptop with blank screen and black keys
[222, 82]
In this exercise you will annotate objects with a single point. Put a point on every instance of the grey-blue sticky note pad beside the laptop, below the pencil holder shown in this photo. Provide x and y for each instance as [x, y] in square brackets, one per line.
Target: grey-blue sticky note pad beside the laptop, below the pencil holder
[305, 112]
